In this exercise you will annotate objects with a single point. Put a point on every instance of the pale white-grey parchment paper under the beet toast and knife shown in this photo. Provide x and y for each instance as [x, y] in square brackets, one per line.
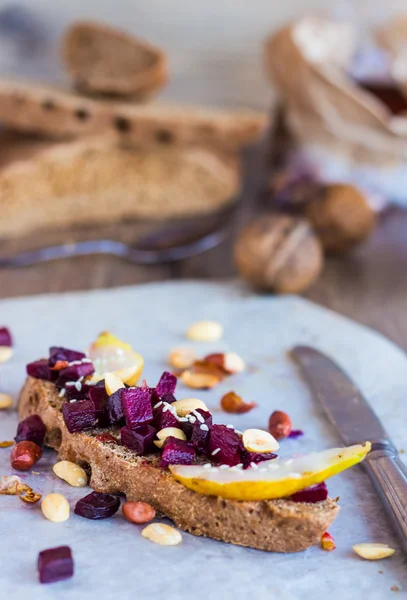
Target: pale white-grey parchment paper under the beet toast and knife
[112, 560]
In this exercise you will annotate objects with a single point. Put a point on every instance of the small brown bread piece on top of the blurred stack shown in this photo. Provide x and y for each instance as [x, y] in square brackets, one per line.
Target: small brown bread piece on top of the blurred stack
[105, 60]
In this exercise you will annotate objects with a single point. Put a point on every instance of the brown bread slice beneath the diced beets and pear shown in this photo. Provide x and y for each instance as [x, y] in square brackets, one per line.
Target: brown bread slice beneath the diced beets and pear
[274, 525]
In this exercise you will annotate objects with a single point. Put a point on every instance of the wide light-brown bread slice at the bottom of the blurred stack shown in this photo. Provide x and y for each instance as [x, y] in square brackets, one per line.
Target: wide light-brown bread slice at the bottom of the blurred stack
[95, 180]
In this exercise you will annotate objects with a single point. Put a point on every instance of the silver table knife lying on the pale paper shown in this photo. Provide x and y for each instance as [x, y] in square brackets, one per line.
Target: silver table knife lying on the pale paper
[356, 423]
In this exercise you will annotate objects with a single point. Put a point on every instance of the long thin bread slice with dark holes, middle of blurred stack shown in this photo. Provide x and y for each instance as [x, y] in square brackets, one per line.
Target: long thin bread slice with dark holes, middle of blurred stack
[53, 112]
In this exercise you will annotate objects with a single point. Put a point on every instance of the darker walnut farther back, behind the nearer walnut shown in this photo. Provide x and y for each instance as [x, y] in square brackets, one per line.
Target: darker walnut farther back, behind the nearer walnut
[341, 217]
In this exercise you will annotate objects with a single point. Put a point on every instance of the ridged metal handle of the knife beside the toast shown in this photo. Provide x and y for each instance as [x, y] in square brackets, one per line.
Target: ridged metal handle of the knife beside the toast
[389, 477]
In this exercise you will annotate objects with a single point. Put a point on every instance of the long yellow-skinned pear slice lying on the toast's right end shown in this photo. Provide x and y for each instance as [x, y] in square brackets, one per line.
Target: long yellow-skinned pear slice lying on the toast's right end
[276, 478]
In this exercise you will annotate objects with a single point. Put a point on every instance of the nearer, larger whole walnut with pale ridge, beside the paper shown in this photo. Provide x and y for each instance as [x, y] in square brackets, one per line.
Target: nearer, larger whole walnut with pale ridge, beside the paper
[279, 253]
